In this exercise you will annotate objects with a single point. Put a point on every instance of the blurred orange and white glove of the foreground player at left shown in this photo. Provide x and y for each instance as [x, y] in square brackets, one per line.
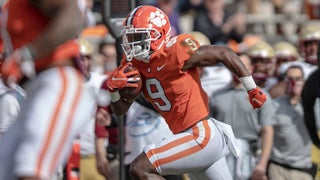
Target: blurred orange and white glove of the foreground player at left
[20, 63]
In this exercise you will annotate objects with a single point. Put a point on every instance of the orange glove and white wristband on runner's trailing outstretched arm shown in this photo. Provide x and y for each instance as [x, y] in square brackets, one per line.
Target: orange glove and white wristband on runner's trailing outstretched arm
[256, 96]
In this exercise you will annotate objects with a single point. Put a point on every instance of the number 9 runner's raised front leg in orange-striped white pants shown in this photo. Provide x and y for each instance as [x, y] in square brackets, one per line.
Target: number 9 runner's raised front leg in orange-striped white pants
[193, 150]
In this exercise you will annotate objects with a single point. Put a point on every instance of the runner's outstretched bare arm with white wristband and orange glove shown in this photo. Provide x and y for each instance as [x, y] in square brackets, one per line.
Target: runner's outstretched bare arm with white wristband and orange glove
[211, 55]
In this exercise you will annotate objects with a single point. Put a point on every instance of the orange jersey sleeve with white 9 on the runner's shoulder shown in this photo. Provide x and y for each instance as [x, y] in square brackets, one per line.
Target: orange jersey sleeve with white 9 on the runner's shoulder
[186, 47]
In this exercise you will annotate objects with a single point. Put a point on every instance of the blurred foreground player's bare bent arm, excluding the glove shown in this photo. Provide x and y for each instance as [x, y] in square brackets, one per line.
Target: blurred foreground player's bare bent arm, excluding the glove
[66, 22]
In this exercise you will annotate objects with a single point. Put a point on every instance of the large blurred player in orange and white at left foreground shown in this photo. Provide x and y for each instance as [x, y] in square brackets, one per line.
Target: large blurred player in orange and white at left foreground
[40, 39]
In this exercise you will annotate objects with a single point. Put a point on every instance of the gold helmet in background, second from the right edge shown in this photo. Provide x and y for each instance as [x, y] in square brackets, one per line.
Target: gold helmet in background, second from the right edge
[285, 49]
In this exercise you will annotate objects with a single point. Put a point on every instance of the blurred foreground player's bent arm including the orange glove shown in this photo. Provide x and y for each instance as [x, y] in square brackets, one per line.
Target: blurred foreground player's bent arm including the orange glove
[65, 23]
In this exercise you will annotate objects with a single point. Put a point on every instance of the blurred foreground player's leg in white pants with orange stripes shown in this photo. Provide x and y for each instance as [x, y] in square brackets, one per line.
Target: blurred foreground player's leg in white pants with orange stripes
[52, 120]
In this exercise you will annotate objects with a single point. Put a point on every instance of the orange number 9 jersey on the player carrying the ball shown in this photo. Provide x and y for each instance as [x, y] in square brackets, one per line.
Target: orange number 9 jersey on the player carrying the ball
[177, 95]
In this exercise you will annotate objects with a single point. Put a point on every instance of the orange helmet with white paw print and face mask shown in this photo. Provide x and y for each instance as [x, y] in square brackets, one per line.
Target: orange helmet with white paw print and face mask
[146, 29]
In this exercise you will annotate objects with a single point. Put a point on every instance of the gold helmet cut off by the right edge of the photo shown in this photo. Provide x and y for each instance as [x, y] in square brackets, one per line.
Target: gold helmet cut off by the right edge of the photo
[310, 32]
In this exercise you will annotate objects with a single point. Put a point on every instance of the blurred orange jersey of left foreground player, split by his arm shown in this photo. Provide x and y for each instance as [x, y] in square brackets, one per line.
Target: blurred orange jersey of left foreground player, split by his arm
[25, 23]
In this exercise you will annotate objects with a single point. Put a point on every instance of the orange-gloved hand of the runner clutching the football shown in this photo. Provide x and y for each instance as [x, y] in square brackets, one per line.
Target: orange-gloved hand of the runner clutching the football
[120, 78]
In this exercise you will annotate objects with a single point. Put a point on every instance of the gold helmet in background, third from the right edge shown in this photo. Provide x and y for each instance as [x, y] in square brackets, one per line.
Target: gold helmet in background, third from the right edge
[261, 50]
